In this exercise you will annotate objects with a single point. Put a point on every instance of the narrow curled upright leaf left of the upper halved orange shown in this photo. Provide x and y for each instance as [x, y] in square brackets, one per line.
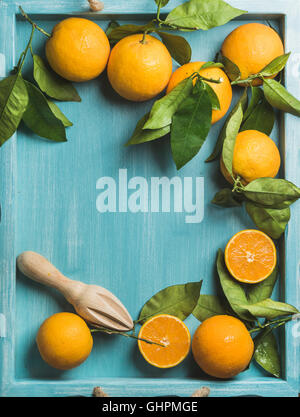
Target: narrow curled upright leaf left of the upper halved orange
[233, 290]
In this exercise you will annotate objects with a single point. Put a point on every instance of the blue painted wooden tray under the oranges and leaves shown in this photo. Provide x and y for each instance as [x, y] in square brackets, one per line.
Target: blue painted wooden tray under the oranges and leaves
[49, 197]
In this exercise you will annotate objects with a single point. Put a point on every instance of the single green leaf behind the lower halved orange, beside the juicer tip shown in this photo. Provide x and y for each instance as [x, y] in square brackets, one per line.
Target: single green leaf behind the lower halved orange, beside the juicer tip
[177, 300]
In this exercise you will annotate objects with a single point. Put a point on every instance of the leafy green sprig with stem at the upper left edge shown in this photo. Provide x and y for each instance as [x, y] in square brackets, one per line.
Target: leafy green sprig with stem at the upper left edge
[23, 100]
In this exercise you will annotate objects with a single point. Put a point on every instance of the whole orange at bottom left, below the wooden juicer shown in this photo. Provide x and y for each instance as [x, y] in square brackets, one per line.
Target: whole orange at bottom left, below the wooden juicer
[64, 340]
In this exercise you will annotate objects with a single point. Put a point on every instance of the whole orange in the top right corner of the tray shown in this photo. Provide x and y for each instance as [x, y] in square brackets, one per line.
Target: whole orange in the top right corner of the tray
[252, 47]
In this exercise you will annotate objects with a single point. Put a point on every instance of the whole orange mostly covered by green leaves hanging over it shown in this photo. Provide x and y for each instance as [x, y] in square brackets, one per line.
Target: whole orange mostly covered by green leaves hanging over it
[223, 90]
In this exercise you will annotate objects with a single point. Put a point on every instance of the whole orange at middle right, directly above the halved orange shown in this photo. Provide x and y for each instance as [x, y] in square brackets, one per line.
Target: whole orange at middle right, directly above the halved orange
[255, 156]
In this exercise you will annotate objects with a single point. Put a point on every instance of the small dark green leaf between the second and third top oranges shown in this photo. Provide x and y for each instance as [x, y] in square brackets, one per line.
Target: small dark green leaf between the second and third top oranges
[178, 47]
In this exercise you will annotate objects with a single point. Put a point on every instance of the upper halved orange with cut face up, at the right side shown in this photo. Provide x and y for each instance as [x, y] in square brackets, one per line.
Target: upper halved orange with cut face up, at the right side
[250, 256]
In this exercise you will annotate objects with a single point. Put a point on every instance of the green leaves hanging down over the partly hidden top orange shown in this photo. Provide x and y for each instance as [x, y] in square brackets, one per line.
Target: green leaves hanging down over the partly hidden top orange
[185, 113]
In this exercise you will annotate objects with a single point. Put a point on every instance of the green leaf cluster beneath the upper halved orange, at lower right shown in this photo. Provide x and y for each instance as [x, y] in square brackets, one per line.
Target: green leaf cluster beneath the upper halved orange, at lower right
[249, 303]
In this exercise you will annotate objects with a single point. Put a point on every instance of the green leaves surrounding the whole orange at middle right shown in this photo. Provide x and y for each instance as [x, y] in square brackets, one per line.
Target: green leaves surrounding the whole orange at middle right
[267, 200]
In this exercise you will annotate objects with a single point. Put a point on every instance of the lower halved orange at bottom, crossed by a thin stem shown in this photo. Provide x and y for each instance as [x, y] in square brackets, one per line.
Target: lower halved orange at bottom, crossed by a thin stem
[170, 332]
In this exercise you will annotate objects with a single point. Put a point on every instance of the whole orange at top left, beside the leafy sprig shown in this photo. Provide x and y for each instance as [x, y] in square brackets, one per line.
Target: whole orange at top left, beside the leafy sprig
[78, 49]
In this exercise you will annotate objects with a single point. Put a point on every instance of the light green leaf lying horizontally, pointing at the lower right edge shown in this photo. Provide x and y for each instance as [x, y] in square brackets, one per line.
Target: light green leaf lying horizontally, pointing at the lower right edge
[270, 309]
